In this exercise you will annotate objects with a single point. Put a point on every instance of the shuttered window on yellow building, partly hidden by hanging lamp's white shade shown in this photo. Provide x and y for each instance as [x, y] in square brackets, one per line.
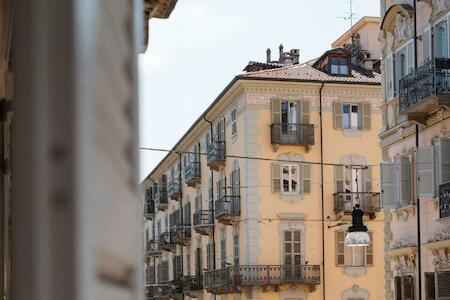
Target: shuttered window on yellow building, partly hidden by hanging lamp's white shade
[352, 256]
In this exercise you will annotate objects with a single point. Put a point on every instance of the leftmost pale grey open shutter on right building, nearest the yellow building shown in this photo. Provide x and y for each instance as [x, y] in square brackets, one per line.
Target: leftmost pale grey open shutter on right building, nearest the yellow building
[388, 184]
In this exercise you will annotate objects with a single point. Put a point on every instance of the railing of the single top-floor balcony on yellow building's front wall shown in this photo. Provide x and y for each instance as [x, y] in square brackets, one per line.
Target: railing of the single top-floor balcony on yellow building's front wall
[292, 134]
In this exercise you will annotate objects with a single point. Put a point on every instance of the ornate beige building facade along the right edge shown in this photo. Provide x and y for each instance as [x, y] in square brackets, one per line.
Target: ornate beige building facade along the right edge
[414, 139]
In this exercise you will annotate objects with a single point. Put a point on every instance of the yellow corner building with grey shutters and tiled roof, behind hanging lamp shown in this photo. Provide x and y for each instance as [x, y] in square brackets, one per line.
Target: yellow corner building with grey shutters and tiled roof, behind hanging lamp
[255, 199]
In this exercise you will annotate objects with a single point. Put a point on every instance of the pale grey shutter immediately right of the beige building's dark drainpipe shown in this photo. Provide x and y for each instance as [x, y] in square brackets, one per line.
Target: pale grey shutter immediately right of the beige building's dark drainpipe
[425, 170]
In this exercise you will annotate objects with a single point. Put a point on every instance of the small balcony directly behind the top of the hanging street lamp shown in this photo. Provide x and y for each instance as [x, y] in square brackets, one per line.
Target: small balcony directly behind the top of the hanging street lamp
[345, 201]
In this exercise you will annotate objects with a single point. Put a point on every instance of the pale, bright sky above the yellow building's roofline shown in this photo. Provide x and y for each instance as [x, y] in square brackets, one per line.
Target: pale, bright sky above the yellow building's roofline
[198, 50]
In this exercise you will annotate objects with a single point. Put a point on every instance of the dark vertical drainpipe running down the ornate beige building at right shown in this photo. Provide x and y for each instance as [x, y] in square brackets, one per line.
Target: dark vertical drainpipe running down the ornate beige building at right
[419, 248]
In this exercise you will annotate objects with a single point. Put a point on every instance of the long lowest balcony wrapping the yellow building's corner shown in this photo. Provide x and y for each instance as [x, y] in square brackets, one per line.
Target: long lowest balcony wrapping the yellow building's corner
[232, 279]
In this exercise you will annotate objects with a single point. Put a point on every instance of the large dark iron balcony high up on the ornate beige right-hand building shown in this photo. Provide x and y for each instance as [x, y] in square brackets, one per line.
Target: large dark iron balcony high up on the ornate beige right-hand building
[425, 90]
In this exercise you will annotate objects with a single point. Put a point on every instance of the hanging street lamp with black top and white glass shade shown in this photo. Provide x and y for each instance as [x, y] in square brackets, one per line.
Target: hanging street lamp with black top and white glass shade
[357, 233]
